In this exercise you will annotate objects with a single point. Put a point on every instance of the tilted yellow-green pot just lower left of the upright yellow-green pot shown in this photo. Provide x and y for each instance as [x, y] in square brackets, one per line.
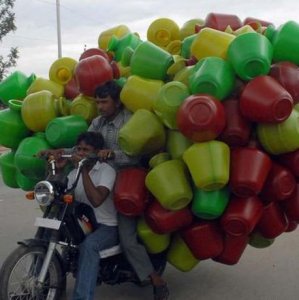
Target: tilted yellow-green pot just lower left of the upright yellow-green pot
[169, 184]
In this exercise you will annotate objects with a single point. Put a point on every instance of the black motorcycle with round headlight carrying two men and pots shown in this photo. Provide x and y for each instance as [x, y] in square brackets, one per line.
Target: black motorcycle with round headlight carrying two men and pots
[39, 267]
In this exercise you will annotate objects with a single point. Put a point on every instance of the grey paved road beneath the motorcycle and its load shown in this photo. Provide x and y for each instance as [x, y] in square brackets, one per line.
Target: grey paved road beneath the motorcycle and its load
[271, 273]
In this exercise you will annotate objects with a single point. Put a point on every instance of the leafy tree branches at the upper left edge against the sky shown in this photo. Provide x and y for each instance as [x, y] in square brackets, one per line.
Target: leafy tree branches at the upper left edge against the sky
[7, 24]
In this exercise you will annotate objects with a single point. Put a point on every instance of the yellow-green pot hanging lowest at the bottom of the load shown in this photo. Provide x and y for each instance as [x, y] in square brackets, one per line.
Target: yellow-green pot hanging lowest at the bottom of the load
[180, 256]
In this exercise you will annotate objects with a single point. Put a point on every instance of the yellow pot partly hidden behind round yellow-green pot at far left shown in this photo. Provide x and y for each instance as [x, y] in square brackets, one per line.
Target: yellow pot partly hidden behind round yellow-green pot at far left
[43, 84]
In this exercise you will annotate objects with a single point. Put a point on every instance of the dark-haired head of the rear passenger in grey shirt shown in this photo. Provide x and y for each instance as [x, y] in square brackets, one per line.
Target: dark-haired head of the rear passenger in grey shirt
[107, 99]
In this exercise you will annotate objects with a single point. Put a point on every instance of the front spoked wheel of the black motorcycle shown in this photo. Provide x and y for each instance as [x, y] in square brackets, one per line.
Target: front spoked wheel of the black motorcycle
[19, 274]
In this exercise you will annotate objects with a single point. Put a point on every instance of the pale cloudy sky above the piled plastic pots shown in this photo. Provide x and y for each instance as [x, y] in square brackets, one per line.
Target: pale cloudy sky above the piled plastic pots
[82, 21]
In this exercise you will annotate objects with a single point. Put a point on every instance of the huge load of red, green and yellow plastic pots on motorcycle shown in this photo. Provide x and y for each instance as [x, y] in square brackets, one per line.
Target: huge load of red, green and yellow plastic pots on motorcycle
[215, 111]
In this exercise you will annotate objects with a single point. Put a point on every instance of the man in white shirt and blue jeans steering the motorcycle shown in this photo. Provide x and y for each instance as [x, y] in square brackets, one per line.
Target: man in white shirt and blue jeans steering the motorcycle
[94, 189]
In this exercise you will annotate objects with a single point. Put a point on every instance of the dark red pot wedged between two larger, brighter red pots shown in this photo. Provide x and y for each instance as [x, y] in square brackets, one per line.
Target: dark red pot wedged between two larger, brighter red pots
[237, 130]
